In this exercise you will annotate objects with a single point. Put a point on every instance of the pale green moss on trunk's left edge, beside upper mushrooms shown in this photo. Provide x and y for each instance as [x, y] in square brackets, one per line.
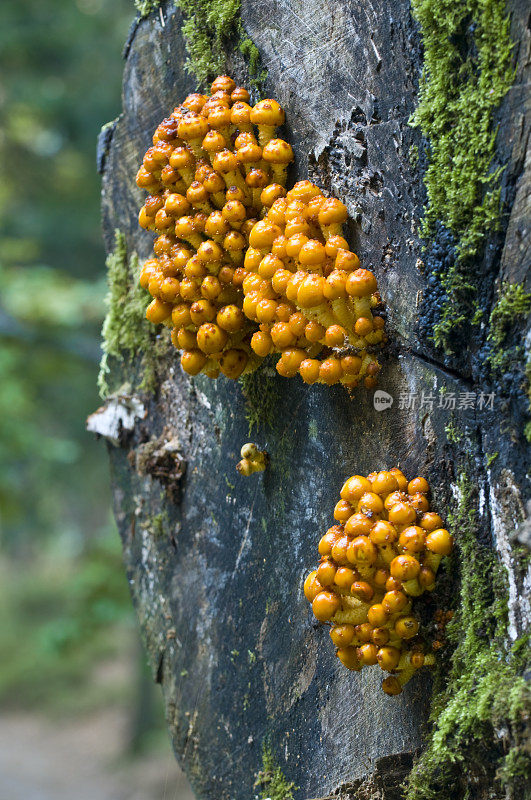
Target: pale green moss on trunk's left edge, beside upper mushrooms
[126, 332]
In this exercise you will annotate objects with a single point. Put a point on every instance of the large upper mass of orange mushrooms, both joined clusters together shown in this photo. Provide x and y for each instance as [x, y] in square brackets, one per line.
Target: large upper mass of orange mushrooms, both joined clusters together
[243, 268]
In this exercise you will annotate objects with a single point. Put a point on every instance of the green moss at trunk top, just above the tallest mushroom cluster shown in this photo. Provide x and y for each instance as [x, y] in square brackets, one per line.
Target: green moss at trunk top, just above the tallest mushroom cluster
[211, 27]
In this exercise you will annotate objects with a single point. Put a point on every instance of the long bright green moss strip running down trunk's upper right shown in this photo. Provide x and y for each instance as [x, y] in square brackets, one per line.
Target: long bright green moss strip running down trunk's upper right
[467, 72]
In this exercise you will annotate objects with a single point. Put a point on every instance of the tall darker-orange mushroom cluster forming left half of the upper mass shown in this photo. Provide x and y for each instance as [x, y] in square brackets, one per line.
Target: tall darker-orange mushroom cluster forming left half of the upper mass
[214, 166]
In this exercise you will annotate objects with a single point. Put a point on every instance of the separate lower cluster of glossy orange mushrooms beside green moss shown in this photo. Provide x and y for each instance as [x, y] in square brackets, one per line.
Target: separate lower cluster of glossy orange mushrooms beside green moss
[382, 553]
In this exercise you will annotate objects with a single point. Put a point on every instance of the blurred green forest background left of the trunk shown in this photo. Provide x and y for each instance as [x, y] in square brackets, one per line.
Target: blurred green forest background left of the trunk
[68, 642]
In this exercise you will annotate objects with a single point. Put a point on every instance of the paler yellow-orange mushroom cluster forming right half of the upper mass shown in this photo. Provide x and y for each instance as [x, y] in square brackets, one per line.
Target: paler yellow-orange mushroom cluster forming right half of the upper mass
[306, 290]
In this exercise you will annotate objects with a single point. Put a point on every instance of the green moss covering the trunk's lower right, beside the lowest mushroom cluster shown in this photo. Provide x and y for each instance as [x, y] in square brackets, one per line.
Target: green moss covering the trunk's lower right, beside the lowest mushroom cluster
[480, 702]
